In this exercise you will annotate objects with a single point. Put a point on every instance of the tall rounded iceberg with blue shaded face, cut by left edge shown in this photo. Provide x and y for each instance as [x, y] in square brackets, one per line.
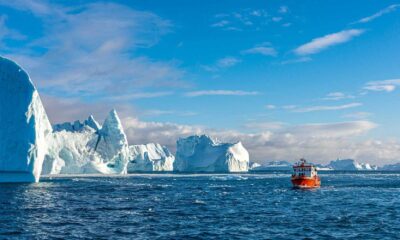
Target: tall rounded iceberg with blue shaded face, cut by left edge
[24, 126]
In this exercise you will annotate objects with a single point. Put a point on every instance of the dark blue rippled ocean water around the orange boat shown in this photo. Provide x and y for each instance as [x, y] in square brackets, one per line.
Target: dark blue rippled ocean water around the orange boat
[202, 206]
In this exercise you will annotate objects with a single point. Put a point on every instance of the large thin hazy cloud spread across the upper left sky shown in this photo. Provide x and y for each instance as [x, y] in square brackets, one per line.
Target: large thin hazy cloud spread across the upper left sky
[89, 50]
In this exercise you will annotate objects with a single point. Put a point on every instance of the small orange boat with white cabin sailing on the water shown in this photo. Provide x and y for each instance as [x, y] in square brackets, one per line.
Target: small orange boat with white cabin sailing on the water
[305, 175]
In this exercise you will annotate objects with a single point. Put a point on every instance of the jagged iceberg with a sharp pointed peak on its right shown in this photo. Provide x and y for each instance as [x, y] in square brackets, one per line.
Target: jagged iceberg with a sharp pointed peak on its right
[88, 148]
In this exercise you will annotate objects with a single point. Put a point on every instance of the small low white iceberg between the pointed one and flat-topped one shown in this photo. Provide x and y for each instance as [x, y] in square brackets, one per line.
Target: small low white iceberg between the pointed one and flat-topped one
[150, 157]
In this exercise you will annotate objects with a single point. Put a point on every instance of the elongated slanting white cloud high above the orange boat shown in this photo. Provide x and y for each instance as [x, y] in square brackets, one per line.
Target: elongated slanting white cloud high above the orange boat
[318, 44]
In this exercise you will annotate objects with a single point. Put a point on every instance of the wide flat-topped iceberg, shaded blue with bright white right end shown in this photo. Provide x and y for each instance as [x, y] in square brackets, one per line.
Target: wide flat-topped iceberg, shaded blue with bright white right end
[203, 154]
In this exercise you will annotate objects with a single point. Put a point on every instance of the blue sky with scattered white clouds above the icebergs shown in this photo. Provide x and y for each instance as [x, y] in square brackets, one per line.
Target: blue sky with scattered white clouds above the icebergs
[290, 79]
